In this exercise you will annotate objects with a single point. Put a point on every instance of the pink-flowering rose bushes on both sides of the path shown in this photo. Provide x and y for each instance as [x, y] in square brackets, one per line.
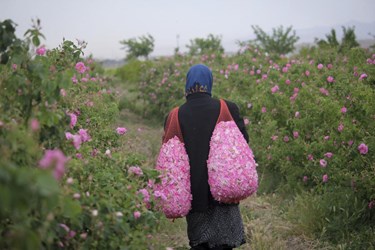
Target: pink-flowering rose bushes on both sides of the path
[67, 181]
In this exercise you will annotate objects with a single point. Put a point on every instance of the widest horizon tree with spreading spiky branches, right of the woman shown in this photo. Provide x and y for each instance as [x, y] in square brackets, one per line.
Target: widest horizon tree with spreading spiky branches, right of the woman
[281, 42]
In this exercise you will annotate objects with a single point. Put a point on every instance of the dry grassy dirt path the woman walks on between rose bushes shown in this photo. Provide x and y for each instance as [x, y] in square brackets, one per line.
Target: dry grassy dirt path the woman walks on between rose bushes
[266, 227]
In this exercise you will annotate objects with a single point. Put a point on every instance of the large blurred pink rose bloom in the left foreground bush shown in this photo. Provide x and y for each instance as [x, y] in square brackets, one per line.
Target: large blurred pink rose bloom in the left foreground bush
[54, 158]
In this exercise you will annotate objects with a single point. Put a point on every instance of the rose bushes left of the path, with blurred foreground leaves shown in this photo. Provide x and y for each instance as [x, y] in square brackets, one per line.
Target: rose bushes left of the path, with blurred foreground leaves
[64, 180]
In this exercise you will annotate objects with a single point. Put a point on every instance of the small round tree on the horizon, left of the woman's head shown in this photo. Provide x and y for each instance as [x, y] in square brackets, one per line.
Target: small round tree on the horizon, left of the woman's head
[138, 47]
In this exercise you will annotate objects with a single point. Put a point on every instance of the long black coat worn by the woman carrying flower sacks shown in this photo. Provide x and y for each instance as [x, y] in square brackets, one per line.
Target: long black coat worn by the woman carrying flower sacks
[197, 117]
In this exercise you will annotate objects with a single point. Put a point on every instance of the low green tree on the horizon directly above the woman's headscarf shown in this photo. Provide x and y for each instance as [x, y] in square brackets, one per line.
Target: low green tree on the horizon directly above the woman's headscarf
[200, 46]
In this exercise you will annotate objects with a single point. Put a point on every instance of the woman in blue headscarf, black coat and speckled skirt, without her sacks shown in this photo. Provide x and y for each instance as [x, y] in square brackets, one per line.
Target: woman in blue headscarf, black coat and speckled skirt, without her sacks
[211, 225]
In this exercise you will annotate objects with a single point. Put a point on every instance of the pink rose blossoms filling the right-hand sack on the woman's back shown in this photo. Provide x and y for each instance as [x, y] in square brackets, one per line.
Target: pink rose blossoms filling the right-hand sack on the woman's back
[232, 174]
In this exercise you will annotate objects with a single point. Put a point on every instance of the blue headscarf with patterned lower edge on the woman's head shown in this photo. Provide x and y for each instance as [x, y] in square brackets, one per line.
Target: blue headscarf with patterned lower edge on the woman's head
[198, 79]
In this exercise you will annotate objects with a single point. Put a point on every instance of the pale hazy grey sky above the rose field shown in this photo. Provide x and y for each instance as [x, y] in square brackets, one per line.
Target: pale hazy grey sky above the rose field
[104, 23]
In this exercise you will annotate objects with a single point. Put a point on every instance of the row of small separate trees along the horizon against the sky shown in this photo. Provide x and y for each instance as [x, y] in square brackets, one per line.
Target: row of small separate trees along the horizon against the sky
[281, 41]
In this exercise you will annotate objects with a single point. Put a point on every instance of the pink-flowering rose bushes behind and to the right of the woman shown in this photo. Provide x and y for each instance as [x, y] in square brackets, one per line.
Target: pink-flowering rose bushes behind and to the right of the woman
[311, 121]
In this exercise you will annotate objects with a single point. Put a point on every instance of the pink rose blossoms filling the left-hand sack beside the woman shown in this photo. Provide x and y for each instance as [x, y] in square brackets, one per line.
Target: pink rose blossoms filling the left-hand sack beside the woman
[173, 193]
